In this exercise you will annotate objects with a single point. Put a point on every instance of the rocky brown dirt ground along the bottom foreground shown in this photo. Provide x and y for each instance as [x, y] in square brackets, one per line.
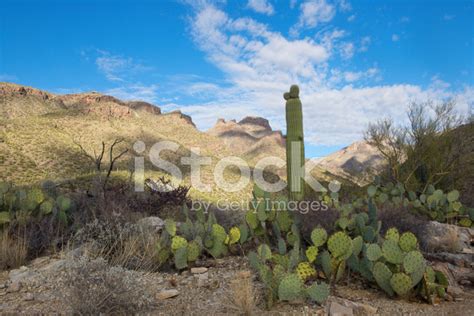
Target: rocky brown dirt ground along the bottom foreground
[209, 293]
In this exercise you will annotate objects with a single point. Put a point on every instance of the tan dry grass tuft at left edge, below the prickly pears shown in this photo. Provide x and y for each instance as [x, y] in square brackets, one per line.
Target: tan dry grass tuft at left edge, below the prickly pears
[13, 251]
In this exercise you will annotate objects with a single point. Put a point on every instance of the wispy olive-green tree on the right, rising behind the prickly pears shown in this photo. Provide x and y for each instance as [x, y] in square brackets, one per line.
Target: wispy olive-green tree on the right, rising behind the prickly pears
[422, 149]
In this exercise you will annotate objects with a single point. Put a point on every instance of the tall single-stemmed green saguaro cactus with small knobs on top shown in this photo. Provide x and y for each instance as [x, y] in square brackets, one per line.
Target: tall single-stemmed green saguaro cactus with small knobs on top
[294, 144]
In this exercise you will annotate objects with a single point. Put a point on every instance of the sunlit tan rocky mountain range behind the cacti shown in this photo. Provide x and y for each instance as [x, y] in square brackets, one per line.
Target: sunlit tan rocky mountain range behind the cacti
[41, 135]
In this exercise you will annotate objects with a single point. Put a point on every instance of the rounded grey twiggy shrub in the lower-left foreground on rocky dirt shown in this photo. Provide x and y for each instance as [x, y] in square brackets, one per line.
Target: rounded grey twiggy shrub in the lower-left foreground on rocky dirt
[93, 287]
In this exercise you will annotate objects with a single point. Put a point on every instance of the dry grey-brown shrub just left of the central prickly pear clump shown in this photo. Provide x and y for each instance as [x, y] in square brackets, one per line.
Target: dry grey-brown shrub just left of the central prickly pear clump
[120, 243]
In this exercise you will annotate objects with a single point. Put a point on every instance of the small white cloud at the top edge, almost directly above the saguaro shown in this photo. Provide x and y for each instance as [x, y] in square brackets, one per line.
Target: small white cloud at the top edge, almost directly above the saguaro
[313, 13]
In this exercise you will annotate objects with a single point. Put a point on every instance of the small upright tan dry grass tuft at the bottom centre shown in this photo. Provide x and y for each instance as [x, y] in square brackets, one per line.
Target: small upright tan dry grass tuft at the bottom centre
[242, 296]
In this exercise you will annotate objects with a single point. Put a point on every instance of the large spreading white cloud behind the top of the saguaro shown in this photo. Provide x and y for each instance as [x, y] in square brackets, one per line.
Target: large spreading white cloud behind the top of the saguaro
[259, 65]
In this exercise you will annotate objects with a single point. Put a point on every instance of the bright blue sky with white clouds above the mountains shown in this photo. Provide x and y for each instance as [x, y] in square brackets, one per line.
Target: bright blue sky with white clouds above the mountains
[355, 61]
